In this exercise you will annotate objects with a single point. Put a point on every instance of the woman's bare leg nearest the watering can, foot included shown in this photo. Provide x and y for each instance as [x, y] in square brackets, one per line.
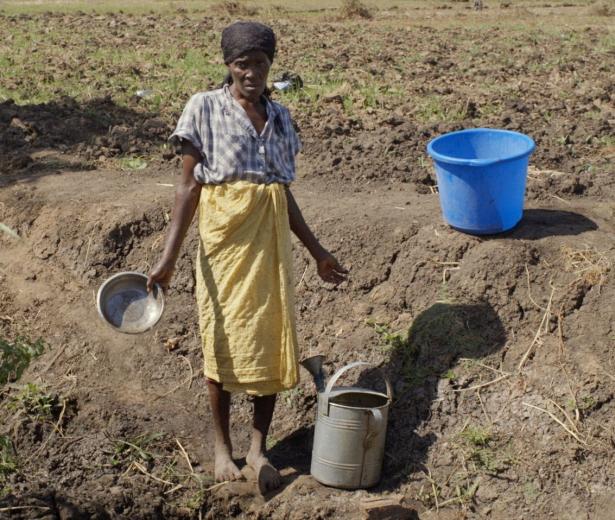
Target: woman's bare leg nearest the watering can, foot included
[268, 476]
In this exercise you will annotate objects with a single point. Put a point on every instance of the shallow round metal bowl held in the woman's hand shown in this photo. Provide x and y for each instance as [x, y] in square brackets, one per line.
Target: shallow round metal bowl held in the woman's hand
[124, 303]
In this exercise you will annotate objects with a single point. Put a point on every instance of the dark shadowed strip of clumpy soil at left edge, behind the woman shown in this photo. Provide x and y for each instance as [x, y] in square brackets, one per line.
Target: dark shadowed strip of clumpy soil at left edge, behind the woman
[39, 139]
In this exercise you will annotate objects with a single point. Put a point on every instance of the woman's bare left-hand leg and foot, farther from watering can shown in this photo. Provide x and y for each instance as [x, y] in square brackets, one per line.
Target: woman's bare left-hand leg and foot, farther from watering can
[220, 401]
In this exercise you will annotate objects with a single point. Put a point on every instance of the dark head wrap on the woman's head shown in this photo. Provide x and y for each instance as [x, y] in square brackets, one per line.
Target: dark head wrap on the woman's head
[241, 37]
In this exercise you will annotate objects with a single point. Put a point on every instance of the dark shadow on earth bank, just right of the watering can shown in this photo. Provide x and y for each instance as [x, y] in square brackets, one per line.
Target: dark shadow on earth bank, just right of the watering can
[438, 337]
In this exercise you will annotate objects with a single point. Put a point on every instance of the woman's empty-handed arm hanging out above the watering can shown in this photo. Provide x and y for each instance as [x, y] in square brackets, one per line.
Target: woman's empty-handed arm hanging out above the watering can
[328, 267]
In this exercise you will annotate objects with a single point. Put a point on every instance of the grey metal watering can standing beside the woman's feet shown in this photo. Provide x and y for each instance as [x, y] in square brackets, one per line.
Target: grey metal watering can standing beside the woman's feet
[350, 430]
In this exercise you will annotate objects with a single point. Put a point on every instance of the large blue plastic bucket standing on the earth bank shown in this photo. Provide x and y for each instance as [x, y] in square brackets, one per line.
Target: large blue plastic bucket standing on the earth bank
[481, 178]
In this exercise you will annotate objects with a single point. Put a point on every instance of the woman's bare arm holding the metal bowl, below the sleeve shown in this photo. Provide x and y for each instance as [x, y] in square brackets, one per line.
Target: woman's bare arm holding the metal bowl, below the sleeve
[187, 197]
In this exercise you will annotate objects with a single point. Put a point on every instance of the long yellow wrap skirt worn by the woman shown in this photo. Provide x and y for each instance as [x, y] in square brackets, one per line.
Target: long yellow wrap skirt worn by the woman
[245, 290]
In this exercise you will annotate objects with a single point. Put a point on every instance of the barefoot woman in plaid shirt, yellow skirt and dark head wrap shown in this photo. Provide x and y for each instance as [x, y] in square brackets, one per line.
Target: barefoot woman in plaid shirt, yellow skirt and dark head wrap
[239, 152]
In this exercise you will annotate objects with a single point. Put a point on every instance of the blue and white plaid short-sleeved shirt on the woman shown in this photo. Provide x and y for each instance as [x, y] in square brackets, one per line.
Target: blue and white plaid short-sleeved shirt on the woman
[231, 148]
